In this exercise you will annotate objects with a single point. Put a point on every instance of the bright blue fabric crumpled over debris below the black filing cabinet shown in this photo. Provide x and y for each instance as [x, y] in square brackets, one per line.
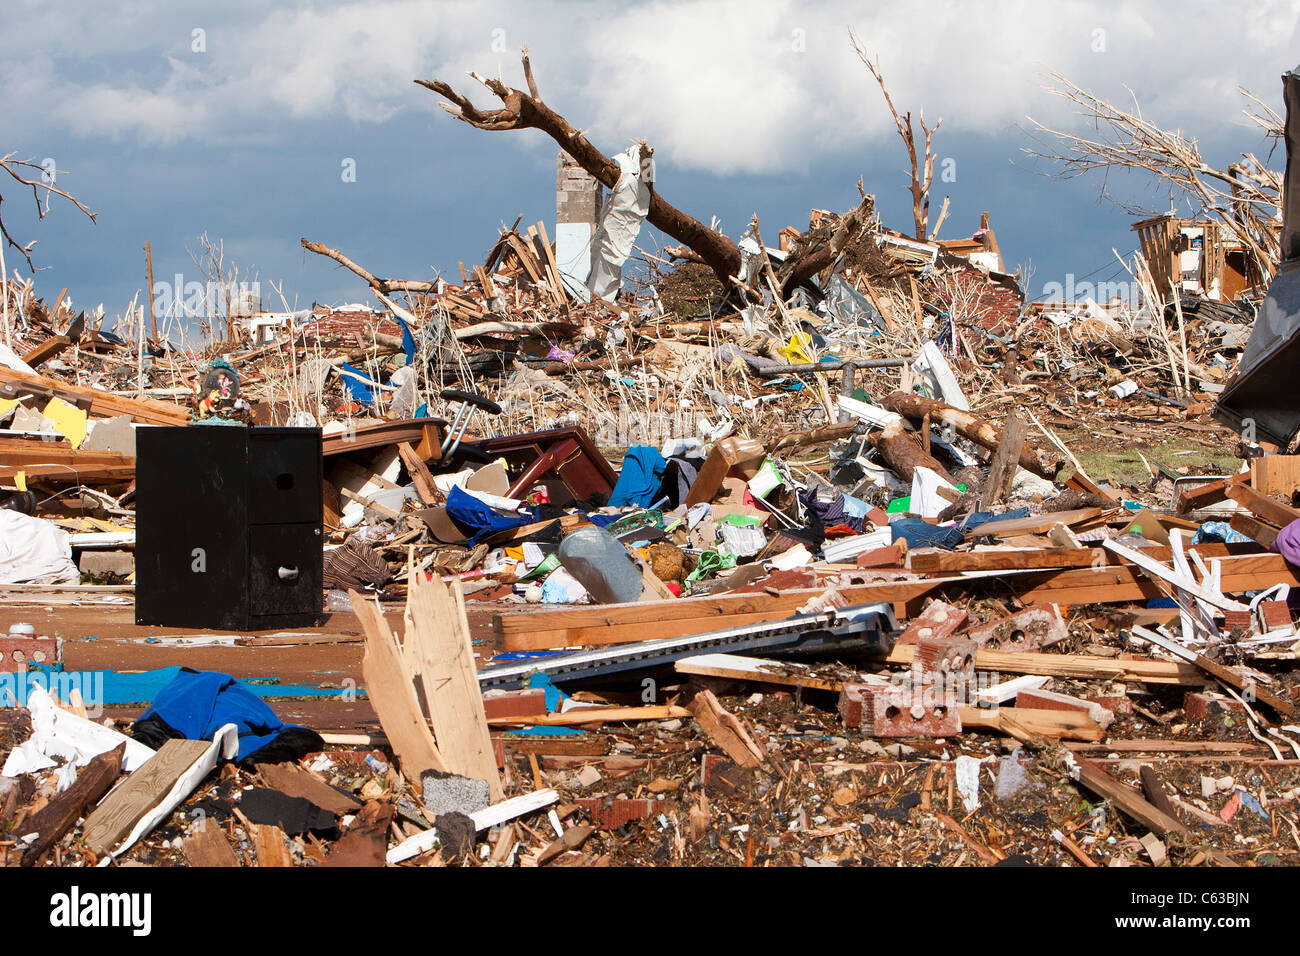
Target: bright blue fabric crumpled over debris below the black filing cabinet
[197, 704]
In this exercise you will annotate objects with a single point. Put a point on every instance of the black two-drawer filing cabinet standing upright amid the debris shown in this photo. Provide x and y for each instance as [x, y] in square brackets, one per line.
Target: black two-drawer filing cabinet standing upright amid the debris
[228, 527]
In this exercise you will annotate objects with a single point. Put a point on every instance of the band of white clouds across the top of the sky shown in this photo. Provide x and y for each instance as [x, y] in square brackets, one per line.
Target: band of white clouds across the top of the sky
[721, 86]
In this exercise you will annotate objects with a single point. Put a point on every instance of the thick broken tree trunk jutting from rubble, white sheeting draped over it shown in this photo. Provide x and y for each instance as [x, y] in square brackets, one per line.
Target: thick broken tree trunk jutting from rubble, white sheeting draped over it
[527, 111]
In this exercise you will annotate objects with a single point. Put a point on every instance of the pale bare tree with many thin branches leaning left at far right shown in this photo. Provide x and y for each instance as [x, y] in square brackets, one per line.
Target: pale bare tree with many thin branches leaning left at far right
[1245, 196]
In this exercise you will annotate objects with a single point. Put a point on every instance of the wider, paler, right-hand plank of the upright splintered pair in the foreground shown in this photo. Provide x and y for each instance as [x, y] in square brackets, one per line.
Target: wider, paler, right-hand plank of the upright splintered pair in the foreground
[440, 647]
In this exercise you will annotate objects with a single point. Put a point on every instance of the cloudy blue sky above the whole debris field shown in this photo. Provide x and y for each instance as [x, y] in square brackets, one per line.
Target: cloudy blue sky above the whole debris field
[180, 119]
